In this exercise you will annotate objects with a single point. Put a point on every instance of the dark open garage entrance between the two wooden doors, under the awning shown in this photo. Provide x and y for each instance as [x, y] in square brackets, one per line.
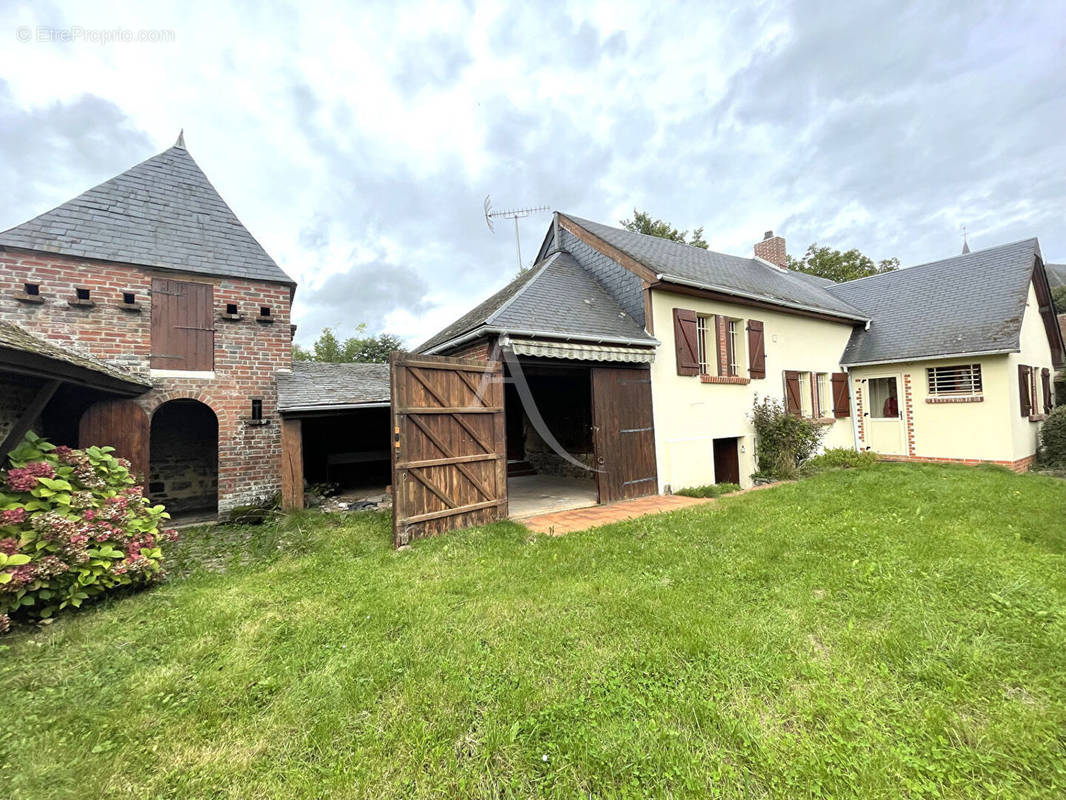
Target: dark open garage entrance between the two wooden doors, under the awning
[539, 479]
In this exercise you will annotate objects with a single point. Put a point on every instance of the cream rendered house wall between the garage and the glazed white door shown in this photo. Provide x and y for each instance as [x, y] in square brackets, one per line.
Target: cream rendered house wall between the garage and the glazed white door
[689, 414]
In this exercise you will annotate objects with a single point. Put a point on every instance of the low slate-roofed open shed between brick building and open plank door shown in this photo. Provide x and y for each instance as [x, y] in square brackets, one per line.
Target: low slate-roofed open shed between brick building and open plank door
[335, 429]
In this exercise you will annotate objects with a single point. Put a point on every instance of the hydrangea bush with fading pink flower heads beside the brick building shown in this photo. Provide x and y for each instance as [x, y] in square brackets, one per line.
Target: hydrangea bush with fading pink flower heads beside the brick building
[74, 525]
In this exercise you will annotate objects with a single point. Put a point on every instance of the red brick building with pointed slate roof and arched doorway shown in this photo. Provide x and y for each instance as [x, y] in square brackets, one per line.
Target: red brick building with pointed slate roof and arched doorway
[151, 280]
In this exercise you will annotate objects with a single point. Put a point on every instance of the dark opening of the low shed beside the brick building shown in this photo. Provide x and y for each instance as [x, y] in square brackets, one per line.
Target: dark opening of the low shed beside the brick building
[349, 453]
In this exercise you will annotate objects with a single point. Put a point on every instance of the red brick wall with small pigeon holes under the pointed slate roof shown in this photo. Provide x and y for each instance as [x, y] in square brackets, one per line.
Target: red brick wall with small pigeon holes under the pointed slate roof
[248, 354]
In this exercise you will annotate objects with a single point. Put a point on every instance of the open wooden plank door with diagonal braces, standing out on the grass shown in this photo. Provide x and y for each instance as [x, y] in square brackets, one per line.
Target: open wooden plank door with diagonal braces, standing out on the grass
[449, 445]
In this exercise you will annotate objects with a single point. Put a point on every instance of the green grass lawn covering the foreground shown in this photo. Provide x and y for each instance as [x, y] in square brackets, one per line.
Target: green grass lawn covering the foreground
[899, 631]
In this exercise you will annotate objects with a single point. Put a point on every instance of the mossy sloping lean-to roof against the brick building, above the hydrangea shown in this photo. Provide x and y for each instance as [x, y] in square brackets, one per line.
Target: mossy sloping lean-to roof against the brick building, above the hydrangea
[25, 354]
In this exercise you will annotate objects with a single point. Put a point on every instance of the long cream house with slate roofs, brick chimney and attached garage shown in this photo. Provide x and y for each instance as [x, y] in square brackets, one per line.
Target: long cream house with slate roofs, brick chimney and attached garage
[643, 358]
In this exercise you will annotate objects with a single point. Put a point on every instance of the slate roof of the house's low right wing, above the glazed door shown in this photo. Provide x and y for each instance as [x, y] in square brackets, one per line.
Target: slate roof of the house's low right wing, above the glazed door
[972, 303]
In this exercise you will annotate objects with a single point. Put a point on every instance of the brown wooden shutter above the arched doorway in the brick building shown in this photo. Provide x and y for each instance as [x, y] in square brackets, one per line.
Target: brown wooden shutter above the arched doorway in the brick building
[183, 326]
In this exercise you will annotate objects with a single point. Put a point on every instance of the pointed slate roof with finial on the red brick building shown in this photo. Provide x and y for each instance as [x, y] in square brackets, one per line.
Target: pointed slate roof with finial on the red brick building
[164, 213]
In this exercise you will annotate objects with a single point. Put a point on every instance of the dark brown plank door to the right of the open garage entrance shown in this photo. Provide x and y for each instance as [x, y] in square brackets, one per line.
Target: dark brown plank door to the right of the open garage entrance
[624, 434]
